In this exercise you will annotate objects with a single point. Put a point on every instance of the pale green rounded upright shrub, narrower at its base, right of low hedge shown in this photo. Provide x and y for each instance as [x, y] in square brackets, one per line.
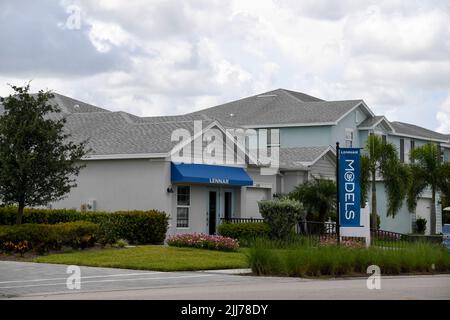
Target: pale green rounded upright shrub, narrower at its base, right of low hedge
[281, 216]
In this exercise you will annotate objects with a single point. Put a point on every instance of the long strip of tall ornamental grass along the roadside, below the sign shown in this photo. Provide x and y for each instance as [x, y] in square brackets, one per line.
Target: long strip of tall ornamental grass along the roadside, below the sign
[343, 260]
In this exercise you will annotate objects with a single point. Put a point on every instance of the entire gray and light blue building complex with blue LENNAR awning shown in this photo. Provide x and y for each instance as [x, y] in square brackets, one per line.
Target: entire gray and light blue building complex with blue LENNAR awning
[134, 162]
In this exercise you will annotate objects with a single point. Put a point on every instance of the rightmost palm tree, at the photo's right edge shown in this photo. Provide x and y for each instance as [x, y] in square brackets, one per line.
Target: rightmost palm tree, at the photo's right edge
[428, 171]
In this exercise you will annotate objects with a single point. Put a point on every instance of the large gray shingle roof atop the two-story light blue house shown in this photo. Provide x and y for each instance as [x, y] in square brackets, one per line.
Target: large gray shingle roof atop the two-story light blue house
[282, 108]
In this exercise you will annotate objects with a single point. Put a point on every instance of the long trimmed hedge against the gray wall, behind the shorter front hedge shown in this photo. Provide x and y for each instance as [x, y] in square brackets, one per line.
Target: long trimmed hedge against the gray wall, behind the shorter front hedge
[139, 227]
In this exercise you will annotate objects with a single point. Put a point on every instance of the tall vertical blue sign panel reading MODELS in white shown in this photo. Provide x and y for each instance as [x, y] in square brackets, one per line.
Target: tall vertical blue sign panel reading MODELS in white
[349, 187]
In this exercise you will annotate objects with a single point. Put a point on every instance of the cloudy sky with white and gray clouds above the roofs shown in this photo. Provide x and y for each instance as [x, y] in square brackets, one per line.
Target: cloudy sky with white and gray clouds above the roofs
[167, 57]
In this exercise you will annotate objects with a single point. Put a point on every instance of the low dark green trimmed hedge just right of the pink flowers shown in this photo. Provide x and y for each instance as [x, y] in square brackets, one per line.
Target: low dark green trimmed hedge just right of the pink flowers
[244, 232]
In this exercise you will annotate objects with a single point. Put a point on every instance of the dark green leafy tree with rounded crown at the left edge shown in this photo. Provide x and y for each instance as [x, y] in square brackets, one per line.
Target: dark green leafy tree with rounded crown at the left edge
[38, 163]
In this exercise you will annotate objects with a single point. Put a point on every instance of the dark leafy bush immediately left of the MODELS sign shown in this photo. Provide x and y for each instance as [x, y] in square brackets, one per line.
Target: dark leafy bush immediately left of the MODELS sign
[317, 196]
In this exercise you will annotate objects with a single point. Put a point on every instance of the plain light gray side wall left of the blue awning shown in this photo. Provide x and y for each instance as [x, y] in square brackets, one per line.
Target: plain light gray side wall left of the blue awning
[136, 184]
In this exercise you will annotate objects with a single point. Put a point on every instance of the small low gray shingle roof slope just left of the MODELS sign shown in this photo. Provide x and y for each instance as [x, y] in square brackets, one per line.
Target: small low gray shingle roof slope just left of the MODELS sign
[300, 157]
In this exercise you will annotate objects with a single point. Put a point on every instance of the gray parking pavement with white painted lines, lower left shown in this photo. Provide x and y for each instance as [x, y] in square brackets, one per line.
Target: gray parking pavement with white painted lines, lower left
[19, 279]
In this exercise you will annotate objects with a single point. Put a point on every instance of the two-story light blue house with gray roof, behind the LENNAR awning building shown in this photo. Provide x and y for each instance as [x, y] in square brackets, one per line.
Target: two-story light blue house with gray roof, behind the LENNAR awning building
[306, 121]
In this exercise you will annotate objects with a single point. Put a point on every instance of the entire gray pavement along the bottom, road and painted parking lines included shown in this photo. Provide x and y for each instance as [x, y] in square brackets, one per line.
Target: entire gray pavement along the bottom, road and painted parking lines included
[19, 280]
